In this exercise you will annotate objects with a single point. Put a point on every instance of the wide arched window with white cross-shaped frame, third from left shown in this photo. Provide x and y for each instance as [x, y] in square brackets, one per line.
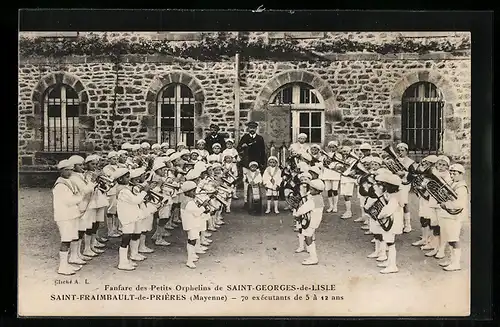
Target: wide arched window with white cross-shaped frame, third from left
[307, 111]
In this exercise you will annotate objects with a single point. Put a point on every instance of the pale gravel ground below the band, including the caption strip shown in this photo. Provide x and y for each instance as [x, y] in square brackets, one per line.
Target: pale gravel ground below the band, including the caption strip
[247, 250]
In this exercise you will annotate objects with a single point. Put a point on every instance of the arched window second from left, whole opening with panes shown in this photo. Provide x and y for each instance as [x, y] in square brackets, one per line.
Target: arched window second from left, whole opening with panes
[175, 118]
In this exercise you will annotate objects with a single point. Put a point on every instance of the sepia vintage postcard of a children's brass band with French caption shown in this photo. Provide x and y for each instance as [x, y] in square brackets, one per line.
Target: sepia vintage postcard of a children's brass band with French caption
[239, 173]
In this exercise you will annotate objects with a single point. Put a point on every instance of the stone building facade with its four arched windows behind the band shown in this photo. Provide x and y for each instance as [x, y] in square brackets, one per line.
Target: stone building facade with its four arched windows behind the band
[350, 97]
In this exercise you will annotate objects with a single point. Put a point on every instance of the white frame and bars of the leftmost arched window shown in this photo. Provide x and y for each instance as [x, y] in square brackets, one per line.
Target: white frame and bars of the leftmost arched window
[63, 123]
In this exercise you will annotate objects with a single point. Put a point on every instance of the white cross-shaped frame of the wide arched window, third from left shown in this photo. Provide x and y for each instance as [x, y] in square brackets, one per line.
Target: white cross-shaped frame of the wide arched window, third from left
[296, 108]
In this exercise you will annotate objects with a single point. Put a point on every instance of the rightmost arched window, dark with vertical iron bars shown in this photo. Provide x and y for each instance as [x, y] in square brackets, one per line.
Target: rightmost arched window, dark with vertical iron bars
[422, 118]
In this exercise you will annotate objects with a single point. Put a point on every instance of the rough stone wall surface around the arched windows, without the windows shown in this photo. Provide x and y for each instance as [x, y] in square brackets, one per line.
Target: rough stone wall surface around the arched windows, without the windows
[362, 94]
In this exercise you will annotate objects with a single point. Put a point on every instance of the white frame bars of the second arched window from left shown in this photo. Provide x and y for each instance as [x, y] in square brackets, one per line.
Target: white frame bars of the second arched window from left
[177, 102]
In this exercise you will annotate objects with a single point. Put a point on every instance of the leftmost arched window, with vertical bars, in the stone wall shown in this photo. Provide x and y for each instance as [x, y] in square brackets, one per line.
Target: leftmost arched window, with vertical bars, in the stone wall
[60, 119]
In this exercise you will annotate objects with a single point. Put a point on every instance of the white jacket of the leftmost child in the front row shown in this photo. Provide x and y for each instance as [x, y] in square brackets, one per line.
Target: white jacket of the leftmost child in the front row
[65, 200]
